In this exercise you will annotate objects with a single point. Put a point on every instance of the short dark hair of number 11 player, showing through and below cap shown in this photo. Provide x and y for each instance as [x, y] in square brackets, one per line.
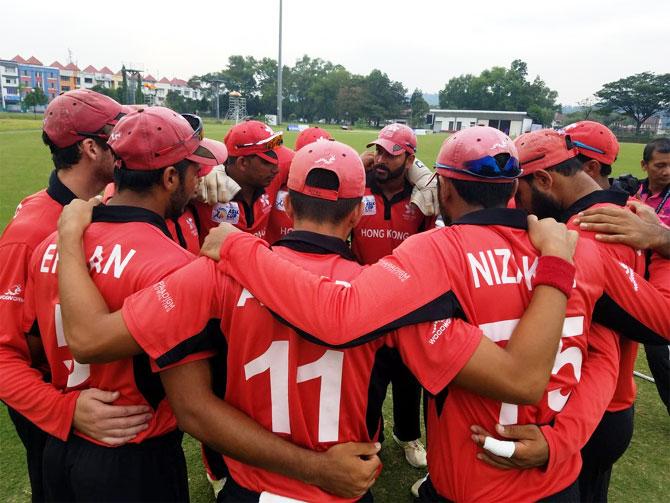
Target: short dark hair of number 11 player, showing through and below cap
[316, 209]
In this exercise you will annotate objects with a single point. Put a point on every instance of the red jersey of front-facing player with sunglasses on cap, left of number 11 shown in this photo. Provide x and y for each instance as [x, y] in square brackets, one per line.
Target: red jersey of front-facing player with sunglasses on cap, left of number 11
[252, 218]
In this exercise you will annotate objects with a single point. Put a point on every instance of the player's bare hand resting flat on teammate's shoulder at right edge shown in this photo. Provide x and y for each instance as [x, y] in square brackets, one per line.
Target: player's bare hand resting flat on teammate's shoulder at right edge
[638, 226]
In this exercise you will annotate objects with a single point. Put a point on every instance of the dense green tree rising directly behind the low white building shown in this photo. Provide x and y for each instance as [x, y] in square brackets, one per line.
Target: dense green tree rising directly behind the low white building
[500, 88]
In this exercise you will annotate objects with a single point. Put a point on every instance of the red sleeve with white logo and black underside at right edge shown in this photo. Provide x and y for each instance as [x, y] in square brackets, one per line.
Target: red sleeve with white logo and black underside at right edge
[633, 306]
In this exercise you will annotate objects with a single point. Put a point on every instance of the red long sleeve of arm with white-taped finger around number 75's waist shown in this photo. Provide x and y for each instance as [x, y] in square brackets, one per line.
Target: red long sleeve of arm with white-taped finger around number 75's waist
[575, 424]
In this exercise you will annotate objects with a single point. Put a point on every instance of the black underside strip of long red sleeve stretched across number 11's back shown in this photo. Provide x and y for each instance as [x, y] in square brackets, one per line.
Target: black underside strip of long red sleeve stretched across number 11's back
[443, 307]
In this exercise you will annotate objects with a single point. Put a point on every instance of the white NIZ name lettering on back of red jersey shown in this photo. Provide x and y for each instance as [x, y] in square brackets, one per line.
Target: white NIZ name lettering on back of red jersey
[494, 267]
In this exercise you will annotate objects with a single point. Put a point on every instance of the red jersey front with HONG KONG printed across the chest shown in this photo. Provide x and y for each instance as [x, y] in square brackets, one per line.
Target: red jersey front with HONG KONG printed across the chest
[386, 222]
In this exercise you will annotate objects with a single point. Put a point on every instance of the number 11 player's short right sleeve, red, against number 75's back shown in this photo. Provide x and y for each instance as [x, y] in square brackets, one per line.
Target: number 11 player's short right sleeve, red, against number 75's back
[436, 352]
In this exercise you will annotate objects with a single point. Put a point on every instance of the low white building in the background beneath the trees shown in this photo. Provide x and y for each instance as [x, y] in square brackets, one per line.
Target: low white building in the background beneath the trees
[510, 123]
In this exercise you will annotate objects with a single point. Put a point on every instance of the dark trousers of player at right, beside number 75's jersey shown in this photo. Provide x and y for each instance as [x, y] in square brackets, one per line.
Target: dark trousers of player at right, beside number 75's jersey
[607, 444]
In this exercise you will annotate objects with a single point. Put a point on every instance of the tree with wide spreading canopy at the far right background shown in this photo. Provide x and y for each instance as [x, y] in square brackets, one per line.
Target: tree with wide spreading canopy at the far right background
[638, 96]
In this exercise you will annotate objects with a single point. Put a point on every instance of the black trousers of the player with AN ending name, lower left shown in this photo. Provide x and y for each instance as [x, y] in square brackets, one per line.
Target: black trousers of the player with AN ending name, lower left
[79, 470]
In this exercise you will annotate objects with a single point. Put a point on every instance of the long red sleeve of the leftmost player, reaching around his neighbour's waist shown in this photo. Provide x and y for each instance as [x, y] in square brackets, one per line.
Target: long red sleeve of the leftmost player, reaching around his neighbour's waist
[21, 386]
